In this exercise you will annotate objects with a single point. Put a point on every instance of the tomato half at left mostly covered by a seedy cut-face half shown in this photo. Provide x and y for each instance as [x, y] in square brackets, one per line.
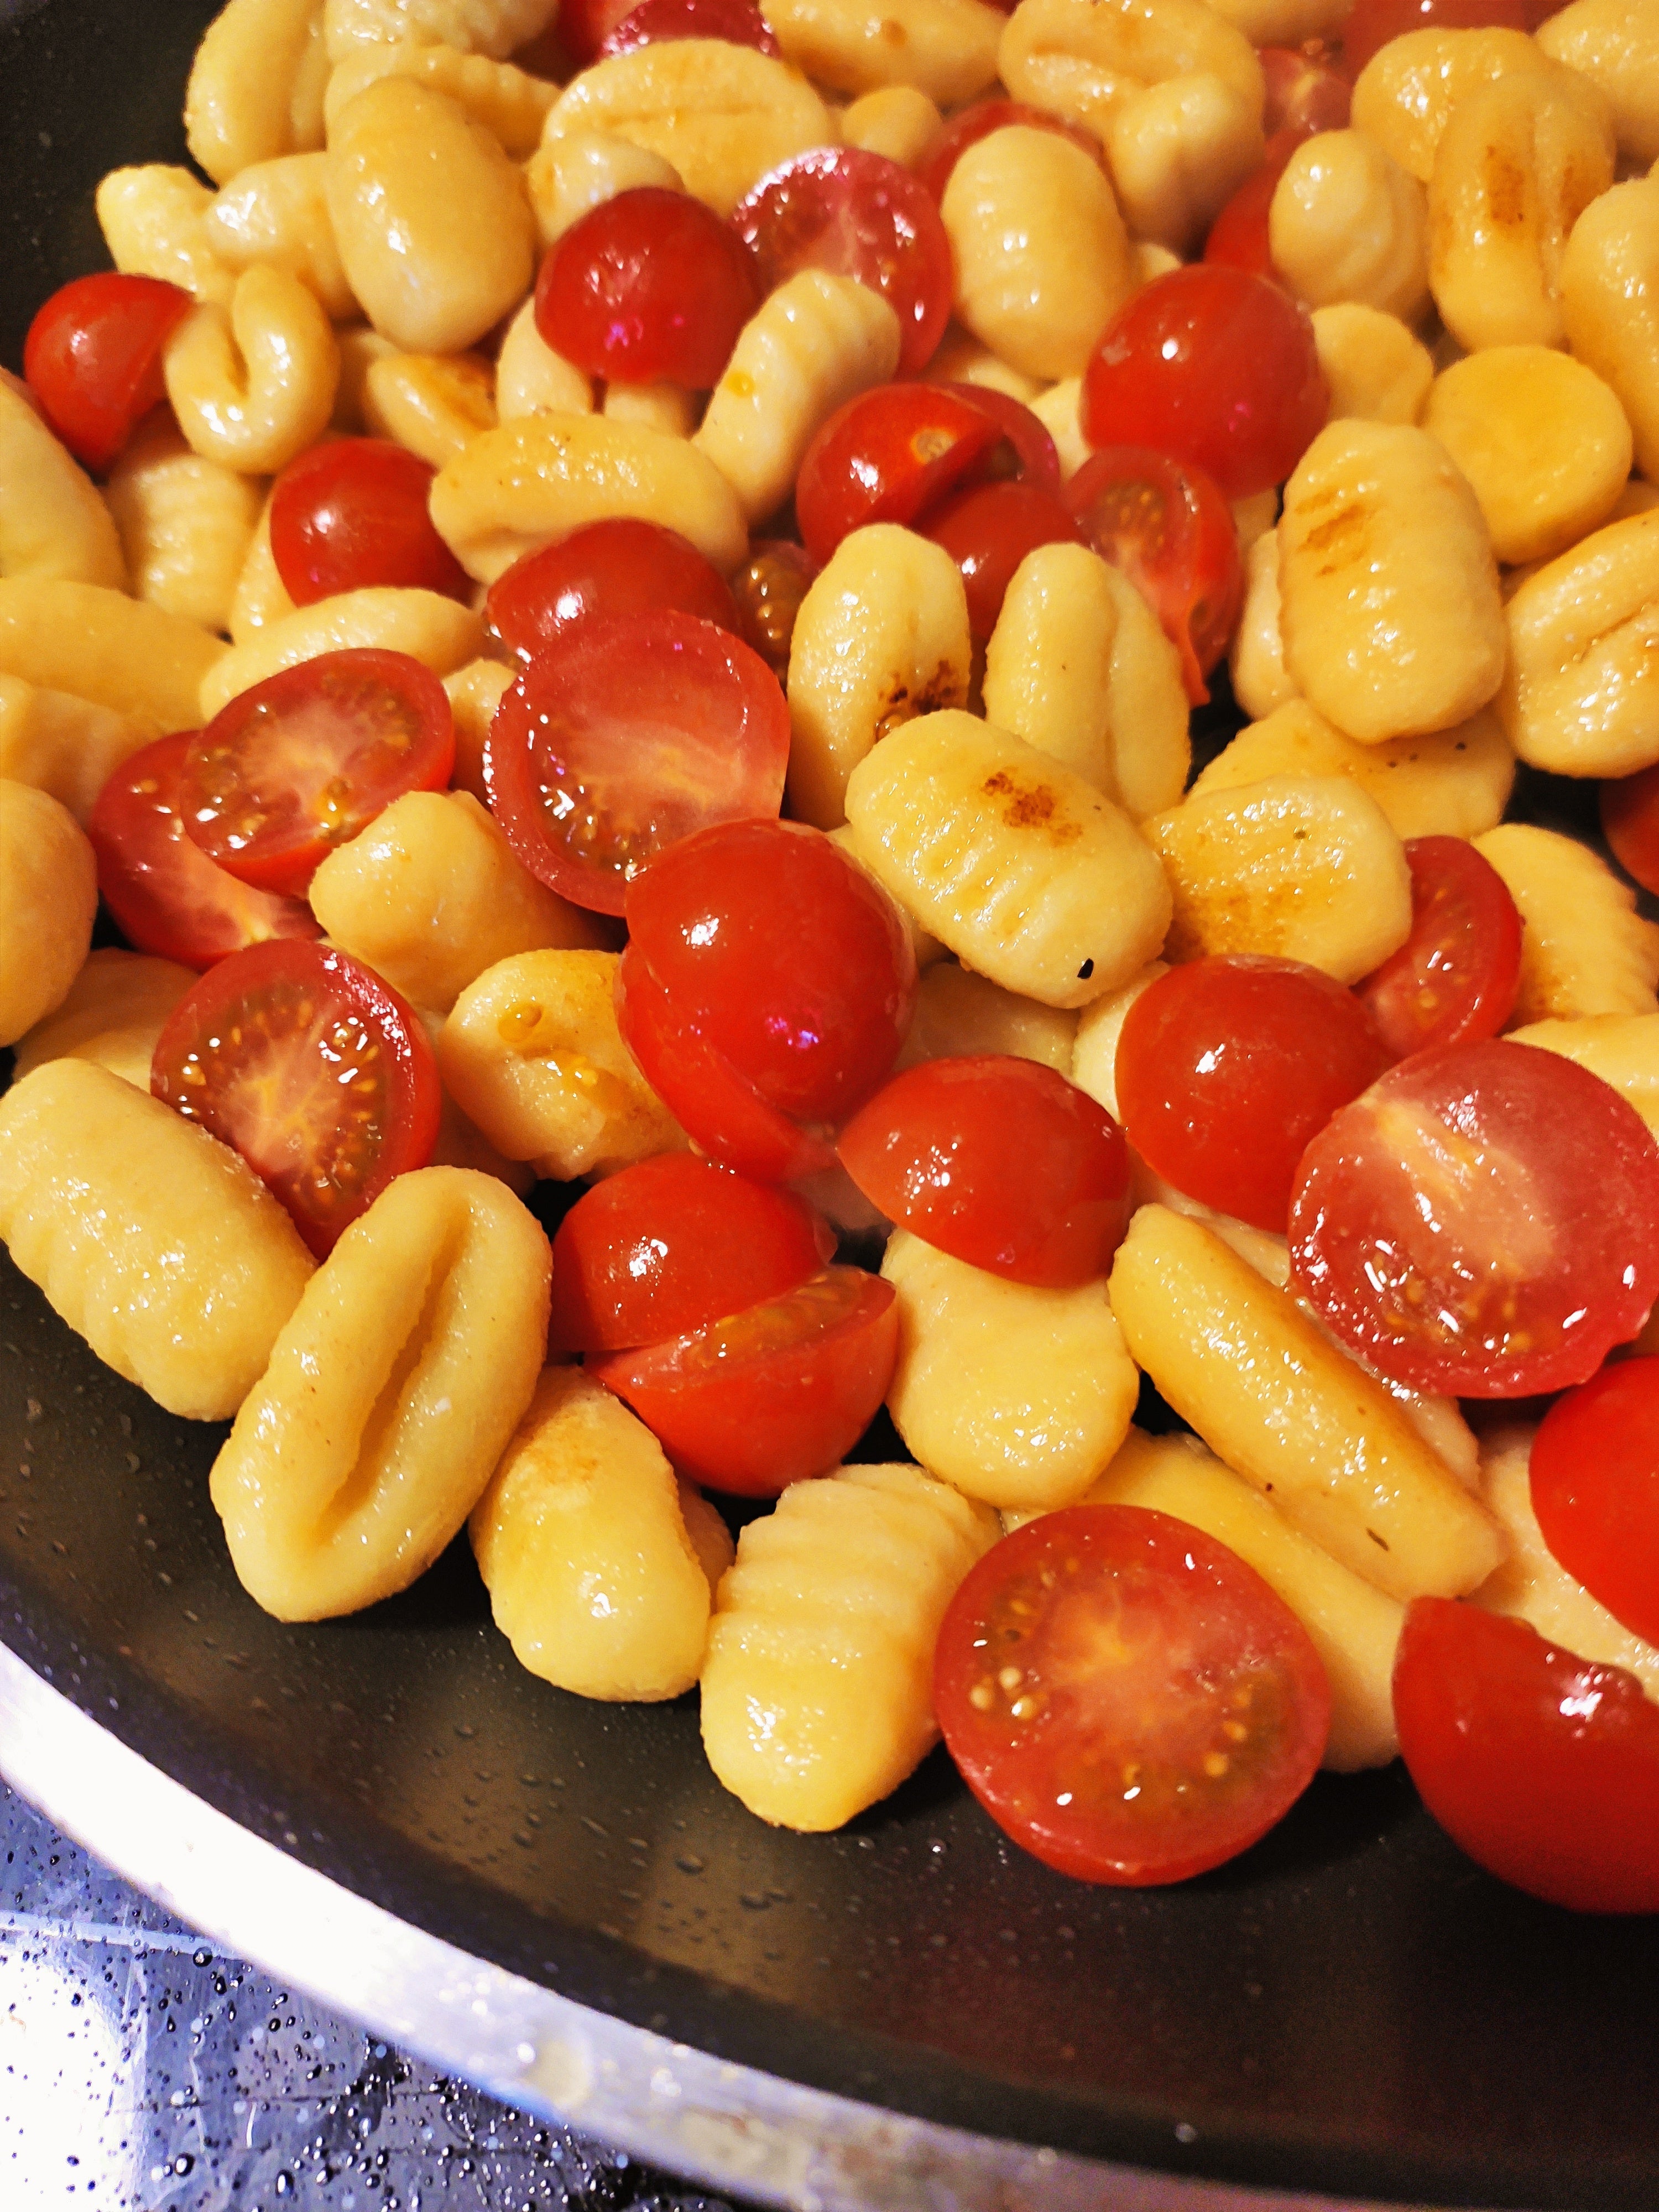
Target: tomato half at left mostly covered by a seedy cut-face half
[167, 897]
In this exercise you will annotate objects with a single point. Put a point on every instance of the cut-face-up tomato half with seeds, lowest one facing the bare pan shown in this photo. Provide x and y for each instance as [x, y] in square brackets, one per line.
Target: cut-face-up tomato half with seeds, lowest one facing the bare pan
[1127, 1698]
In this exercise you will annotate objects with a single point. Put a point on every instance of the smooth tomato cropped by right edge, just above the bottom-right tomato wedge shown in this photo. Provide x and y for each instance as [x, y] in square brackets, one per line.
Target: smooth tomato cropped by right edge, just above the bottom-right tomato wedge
[1596, 1490]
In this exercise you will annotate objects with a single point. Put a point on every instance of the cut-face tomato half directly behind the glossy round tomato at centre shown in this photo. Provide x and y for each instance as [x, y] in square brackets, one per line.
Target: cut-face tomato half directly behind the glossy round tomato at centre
[627, 735]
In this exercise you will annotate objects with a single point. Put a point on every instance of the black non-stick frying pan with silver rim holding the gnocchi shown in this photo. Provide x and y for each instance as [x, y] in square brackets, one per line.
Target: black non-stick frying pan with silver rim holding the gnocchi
[561, 1897]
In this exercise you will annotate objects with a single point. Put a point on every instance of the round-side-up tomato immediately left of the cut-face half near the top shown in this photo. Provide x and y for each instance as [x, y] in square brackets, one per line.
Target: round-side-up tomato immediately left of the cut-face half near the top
[647, 286]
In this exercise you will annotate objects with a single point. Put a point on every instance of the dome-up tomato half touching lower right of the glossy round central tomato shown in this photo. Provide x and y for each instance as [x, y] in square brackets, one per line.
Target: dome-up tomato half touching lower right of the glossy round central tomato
[997, 1160]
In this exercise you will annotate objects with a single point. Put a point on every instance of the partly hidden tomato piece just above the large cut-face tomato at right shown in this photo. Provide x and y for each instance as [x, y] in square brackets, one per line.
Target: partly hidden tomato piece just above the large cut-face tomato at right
[1454, 979]
